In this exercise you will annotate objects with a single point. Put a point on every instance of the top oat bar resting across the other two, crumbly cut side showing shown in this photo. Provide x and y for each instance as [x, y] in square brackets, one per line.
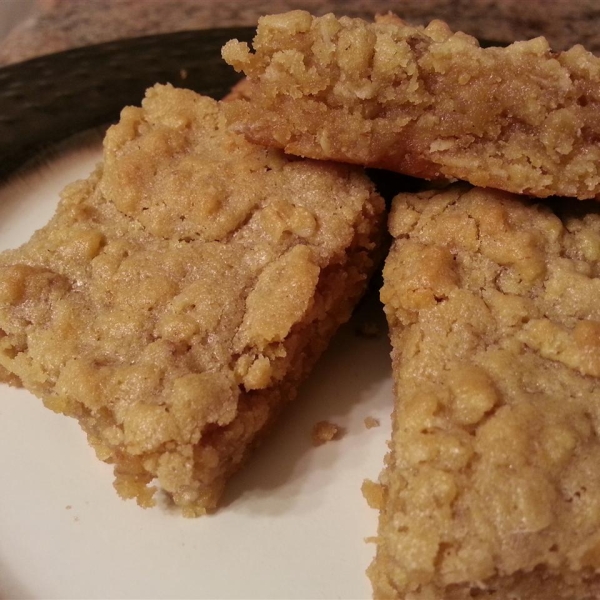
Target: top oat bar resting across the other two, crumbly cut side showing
[423, 101]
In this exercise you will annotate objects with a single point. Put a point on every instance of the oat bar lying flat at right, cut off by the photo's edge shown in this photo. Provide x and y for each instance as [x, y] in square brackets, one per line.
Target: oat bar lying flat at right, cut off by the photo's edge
[492, 487]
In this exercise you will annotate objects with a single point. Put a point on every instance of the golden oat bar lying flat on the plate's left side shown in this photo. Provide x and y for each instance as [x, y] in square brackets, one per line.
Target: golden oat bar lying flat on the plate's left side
[181, 293]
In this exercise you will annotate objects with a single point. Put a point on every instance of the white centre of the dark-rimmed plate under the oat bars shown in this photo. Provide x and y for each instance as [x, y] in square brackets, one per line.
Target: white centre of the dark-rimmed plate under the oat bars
[292, 524]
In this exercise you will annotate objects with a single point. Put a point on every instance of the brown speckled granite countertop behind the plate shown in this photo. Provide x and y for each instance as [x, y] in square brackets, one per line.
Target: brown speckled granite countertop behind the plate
[61, 24]
